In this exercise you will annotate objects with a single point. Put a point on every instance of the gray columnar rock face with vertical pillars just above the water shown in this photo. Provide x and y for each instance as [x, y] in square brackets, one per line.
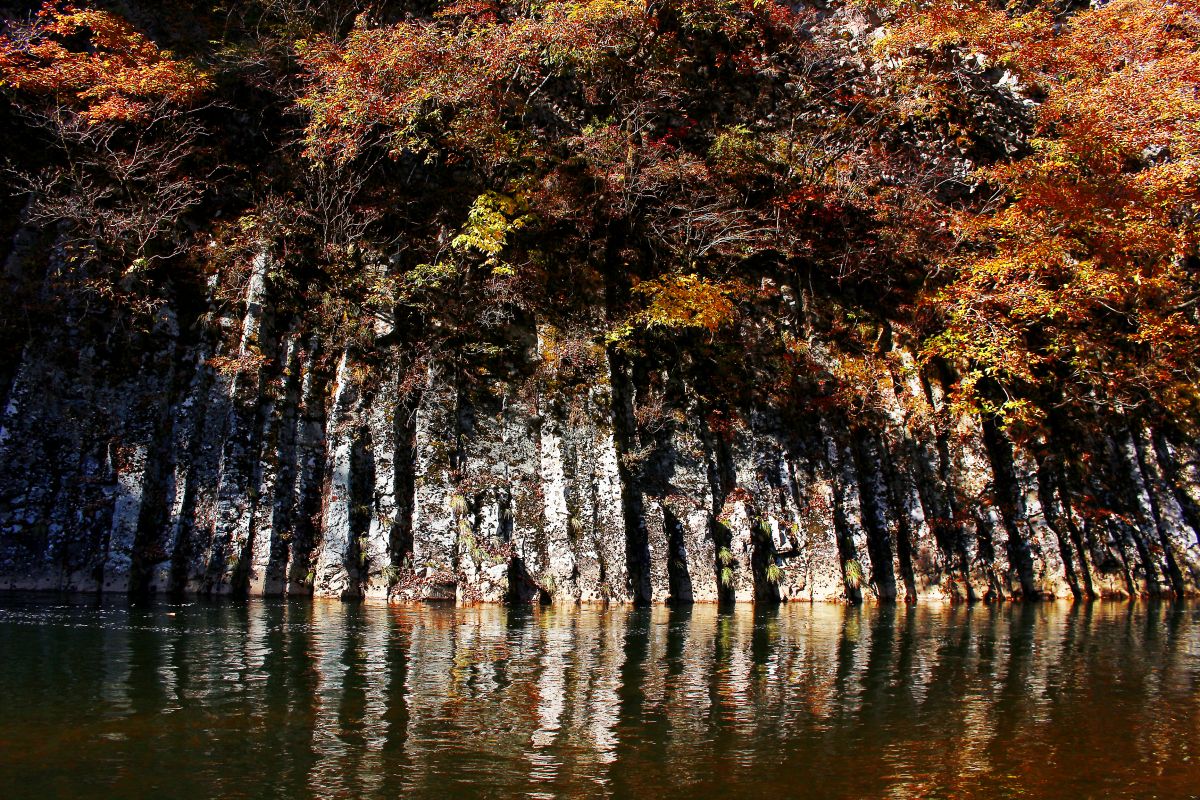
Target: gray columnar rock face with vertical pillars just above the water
[253, 458]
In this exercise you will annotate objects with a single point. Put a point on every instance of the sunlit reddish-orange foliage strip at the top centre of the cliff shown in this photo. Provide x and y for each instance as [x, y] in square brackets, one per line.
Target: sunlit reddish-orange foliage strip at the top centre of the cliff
[455, 83]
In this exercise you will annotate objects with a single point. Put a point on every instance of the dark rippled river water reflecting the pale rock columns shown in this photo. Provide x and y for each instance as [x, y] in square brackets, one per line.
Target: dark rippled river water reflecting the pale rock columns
[322, 700]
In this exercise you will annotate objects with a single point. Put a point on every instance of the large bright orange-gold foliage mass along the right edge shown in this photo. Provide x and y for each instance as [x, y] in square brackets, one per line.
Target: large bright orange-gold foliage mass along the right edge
[1087, 270]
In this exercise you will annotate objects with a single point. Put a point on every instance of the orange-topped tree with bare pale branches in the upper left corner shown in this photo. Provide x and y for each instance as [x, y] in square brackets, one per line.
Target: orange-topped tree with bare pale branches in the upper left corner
[112, 110]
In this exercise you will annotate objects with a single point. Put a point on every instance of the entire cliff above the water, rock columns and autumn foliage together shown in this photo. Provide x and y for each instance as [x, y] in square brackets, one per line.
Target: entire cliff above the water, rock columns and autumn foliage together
[601, 302]
